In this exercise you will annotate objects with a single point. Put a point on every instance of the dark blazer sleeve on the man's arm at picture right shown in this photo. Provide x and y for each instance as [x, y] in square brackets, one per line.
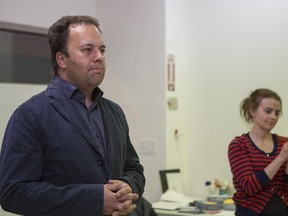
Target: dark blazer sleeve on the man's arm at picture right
[131, 171]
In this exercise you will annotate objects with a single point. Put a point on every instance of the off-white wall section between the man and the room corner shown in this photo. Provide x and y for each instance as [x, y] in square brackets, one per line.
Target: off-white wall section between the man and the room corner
[135, 78]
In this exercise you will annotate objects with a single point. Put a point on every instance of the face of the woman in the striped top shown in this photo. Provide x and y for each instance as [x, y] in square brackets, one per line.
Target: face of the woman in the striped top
[266, 116]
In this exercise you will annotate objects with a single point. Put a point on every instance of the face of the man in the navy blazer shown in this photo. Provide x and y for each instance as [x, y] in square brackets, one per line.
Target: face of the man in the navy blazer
[85, 64]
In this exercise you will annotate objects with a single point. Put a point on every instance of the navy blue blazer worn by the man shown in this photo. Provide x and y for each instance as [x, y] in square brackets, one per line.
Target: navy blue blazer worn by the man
[50, 165]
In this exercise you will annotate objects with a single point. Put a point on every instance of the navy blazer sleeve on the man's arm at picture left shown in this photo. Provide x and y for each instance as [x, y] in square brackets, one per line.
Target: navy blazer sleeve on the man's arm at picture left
[22, 191]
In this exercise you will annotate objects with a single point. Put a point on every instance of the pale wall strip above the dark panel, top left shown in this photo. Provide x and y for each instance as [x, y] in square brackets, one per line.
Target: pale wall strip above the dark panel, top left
[43, 13]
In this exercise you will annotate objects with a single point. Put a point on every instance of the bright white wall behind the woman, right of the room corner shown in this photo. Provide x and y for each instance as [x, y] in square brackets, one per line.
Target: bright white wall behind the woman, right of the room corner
[232, 47]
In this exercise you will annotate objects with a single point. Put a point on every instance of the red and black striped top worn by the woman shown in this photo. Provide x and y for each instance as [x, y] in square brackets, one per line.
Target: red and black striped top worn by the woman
[253, 186]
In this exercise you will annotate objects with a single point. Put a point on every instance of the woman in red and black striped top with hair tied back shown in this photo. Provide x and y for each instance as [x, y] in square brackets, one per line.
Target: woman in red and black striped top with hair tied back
[258, 158]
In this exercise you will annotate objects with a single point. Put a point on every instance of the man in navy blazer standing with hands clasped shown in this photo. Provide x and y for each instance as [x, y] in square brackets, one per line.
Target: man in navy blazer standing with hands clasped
[67, 151]
